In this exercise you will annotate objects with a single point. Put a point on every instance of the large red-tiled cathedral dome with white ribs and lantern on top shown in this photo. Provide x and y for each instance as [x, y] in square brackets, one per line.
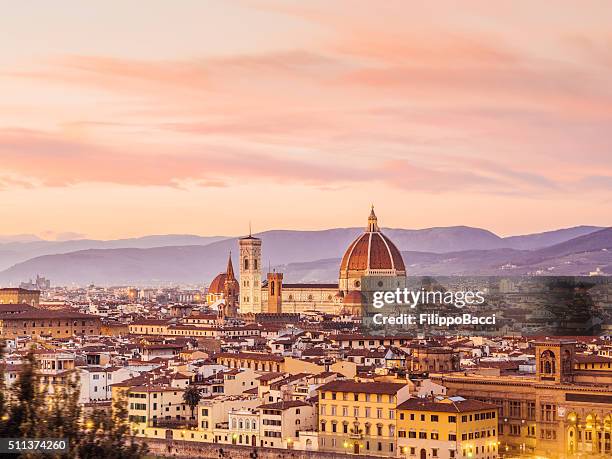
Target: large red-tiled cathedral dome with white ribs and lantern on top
[372, 253]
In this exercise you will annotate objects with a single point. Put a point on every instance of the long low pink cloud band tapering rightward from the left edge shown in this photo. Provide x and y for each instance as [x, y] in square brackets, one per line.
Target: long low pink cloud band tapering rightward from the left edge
[55, 161]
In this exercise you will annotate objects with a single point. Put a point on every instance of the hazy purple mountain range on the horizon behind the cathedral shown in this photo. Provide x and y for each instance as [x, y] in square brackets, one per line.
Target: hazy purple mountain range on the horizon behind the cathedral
[315, 256]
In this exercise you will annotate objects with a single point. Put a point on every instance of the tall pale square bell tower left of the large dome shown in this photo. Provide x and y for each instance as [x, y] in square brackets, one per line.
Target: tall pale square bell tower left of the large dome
[250, 274]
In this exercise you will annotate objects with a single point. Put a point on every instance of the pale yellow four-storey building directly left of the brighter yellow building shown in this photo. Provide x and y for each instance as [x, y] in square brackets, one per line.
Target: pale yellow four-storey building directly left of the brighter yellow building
[359, 417]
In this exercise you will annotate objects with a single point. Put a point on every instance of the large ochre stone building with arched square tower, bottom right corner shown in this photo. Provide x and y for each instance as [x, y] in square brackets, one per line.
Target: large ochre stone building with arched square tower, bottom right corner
[563, 411]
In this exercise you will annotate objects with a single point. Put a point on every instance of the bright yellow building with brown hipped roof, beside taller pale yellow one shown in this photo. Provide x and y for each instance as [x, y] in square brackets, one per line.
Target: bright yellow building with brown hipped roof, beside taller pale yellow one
[447, 429]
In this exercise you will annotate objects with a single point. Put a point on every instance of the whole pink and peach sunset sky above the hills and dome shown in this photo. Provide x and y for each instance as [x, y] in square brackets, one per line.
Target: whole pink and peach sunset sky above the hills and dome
[128, 118]
